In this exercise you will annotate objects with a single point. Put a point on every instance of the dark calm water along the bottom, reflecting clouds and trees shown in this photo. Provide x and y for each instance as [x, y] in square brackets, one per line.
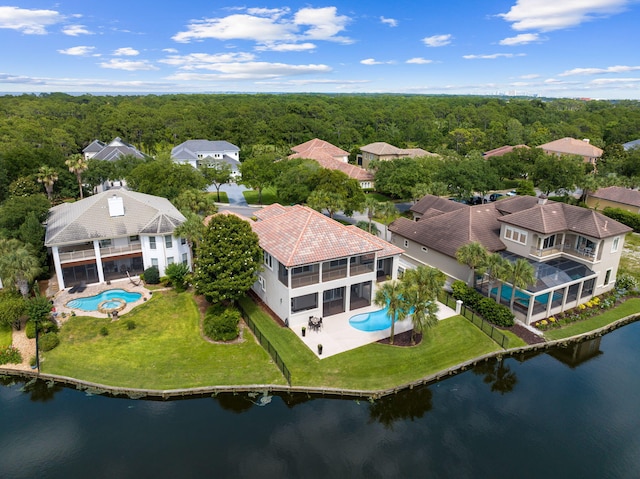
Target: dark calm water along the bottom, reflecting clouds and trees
[573, 414]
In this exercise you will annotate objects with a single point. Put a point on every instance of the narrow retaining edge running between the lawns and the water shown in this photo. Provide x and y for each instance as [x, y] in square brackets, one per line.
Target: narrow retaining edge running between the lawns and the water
[173, 394]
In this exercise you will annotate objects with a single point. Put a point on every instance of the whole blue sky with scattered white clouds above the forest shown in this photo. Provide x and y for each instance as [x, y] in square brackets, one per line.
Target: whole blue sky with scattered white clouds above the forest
[558, 48]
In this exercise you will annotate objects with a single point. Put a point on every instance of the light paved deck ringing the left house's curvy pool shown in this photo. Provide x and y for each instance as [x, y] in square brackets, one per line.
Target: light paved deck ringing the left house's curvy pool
[61, 299]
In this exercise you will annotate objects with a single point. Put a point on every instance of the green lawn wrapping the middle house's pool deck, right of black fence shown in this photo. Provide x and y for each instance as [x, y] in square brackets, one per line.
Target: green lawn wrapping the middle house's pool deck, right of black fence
[375, 366]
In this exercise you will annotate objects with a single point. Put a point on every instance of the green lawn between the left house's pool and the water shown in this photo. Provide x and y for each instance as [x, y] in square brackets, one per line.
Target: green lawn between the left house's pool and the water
[164, 351]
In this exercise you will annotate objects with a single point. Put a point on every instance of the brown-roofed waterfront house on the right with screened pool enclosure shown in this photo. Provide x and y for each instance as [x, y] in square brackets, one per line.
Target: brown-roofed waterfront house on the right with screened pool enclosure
[575, 251]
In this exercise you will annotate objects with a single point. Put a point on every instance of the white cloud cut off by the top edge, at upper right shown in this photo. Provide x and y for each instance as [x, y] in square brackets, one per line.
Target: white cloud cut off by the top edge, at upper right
[548, 15]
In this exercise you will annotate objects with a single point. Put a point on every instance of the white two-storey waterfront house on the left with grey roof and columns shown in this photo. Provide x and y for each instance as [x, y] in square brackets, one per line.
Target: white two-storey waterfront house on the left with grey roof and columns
[112, 235]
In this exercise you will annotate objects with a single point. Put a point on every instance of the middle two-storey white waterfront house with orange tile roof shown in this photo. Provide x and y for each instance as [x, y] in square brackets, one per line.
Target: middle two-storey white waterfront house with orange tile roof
[315, 266]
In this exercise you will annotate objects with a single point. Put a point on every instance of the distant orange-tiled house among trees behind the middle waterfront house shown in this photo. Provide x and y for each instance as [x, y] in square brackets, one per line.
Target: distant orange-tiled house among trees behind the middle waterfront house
[333, 158]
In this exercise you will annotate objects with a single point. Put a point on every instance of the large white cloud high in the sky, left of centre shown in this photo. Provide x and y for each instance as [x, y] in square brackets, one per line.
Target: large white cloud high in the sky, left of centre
[270, 26]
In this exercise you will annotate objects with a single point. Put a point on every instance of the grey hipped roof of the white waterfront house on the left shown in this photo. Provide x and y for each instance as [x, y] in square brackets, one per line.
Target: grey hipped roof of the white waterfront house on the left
[89, 219]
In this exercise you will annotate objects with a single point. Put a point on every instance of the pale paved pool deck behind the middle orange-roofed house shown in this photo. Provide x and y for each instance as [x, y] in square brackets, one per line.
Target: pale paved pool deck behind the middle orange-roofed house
[338, 336]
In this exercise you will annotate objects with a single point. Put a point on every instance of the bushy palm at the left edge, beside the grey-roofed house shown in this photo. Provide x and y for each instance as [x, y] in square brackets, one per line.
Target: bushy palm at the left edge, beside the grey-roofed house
[18, 265]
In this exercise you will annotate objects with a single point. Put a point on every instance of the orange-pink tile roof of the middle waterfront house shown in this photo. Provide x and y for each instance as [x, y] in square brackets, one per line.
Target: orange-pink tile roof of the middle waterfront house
[299, 235]
